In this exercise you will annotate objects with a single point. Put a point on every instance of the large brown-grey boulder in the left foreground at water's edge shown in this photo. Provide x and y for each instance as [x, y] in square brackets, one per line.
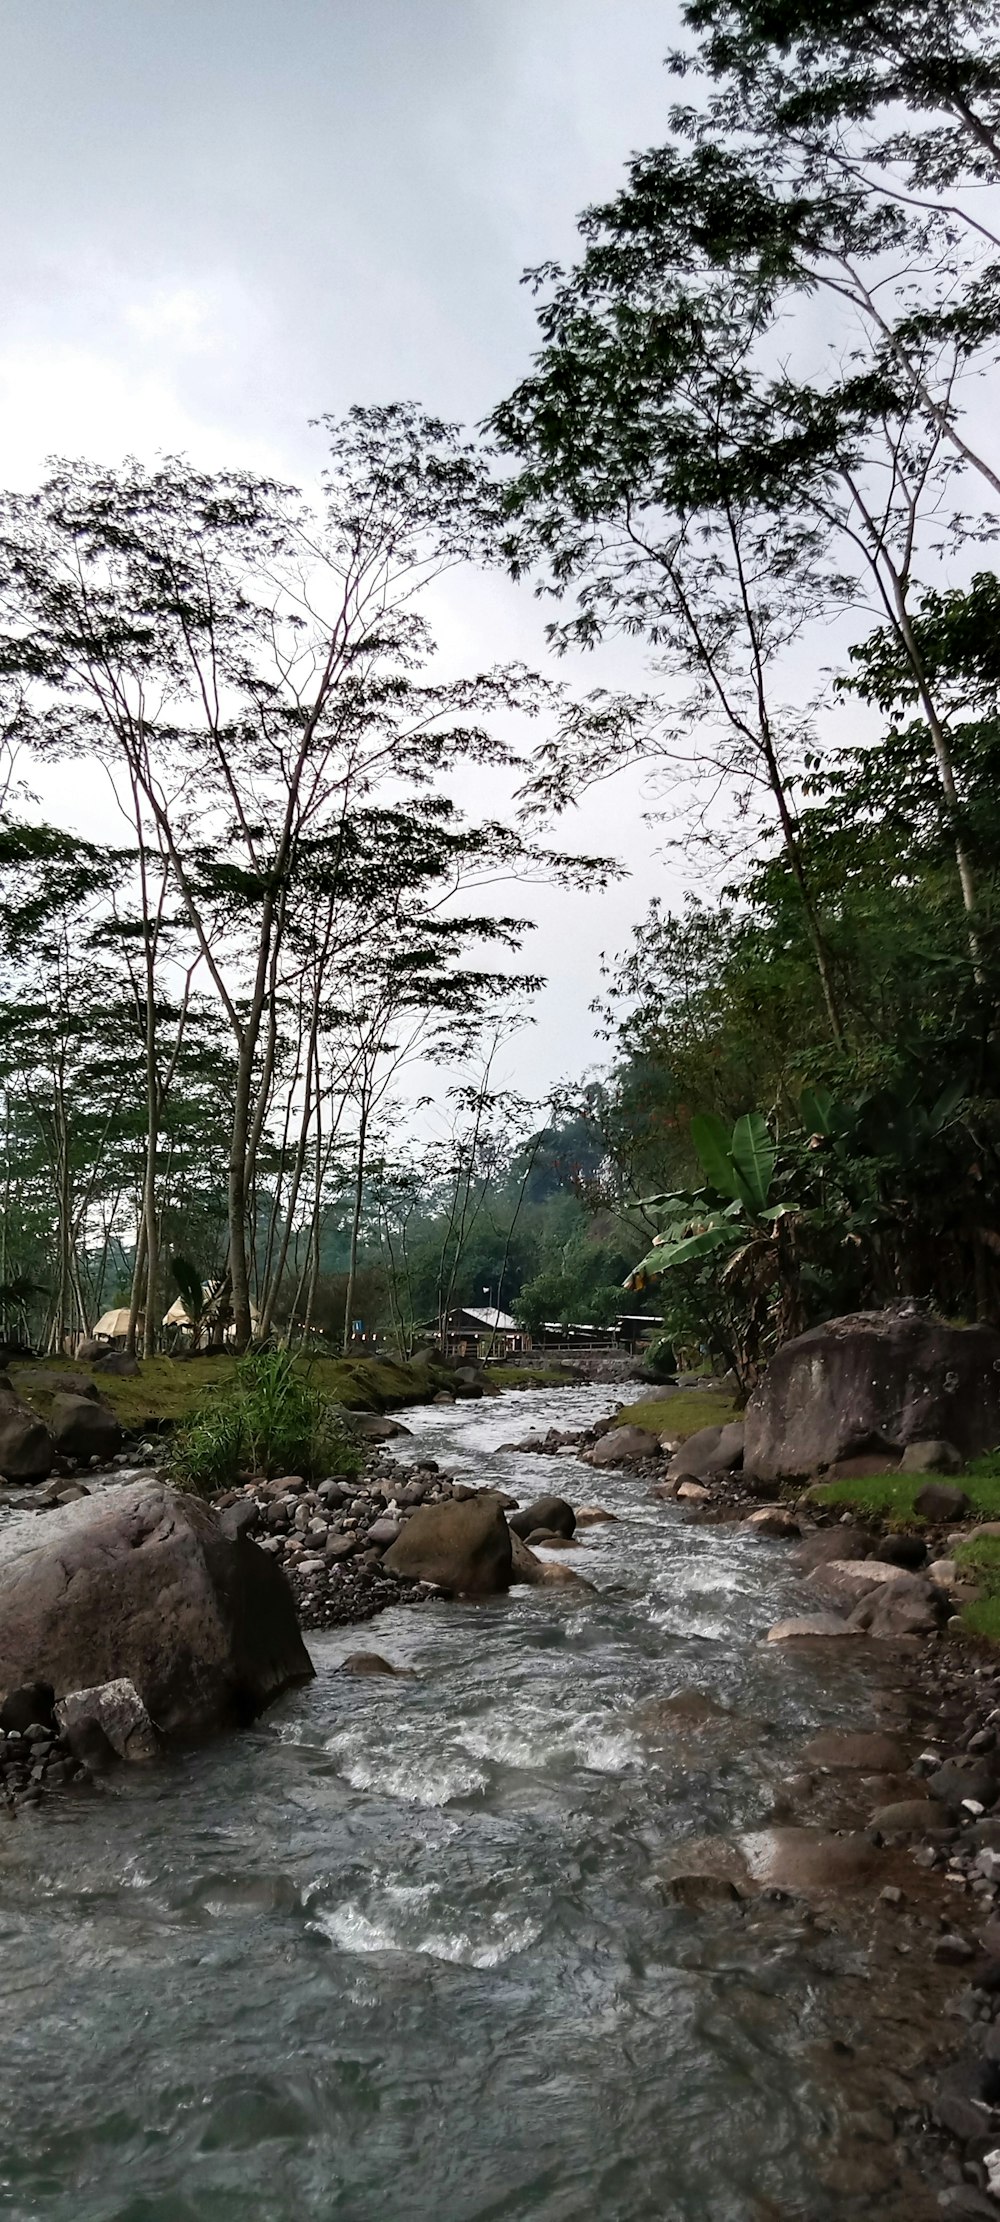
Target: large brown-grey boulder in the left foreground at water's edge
[141, 1583]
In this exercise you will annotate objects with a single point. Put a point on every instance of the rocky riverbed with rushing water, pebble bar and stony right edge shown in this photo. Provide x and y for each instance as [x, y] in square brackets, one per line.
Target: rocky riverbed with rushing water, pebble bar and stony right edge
[650, 1863]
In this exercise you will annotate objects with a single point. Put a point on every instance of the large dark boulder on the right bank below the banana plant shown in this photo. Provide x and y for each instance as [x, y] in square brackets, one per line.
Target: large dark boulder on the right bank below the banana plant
[874, 1381]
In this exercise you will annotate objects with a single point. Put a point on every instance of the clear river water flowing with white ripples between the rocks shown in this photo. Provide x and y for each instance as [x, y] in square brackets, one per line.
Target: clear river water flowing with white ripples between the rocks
[399, 1954]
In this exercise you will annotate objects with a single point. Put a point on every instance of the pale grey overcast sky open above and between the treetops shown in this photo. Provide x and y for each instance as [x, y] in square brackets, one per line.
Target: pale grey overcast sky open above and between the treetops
[226, 217]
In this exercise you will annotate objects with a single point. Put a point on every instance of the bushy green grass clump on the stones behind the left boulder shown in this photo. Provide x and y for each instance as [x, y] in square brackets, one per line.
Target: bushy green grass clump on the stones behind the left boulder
[270, 1419]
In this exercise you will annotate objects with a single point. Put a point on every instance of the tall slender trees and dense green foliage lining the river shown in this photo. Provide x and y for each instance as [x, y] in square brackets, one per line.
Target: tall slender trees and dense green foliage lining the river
[210, 1023]
